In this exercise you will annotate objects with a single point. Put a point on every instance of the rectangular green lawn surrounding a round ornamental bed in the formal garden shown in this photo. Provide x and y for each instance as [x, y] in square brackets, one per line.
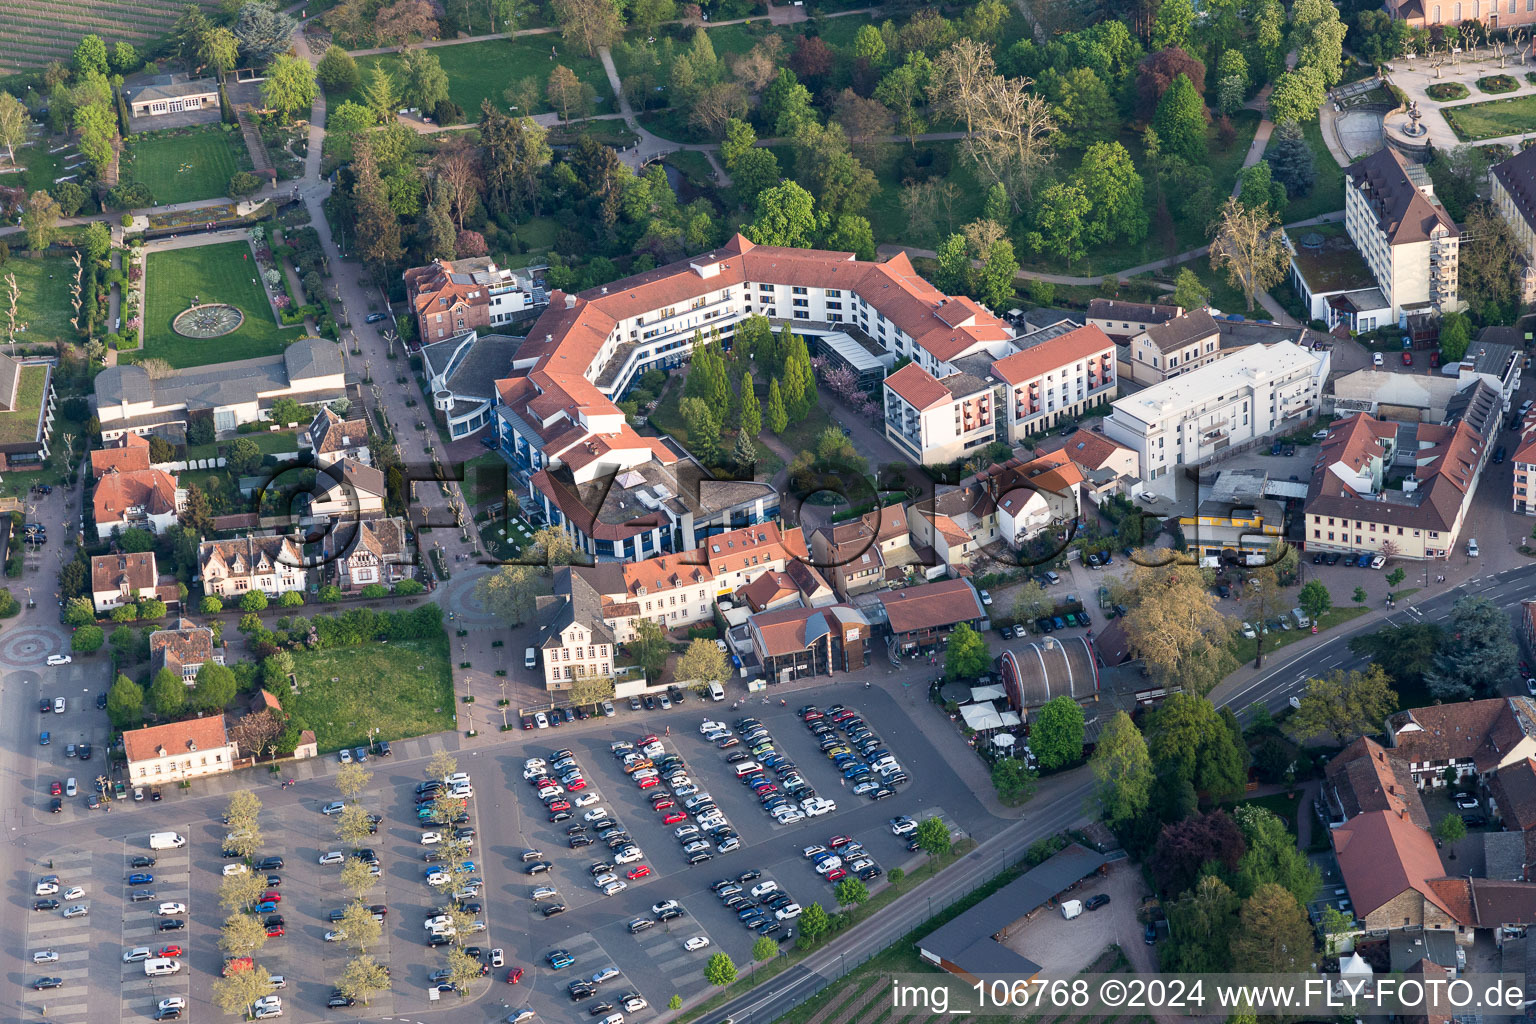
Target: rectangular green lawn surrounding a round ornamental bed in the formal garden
[213, 274]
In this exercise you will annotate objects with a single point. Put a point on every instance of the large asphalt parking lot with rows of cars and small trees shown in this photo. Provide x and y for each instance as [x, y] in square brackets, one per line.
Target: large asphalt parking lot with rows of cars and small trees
[94, 853]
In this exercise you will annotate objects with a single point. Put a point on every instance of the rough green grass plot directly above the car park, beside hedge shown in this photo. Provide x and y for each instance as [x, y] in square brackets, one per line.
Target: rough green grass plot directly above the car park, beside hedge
[402, 689]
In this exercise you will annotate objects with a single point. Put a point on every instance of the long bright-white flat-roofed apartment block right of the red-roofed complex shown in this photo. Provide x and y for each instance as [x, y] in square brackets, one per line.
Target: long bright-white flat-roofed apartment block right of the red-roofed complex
[1254, 394]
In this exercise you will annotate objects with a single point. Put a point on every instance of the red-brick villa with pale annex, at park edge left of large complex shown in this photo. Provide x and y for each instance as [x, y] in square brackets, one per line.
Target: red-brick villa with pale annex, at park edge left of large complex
[452, 297]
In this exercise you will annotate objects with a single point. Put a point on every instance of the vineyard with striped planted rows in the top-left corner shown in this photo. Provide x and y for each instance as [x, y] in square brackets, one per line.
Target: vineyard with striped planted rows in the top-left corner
[38, 31]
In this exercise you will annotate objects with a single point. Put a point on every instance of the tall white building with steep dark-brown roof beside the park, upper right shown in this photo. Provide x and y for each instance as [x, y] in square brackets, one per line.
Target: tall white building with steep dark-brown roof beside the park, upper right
[1405, 236]
